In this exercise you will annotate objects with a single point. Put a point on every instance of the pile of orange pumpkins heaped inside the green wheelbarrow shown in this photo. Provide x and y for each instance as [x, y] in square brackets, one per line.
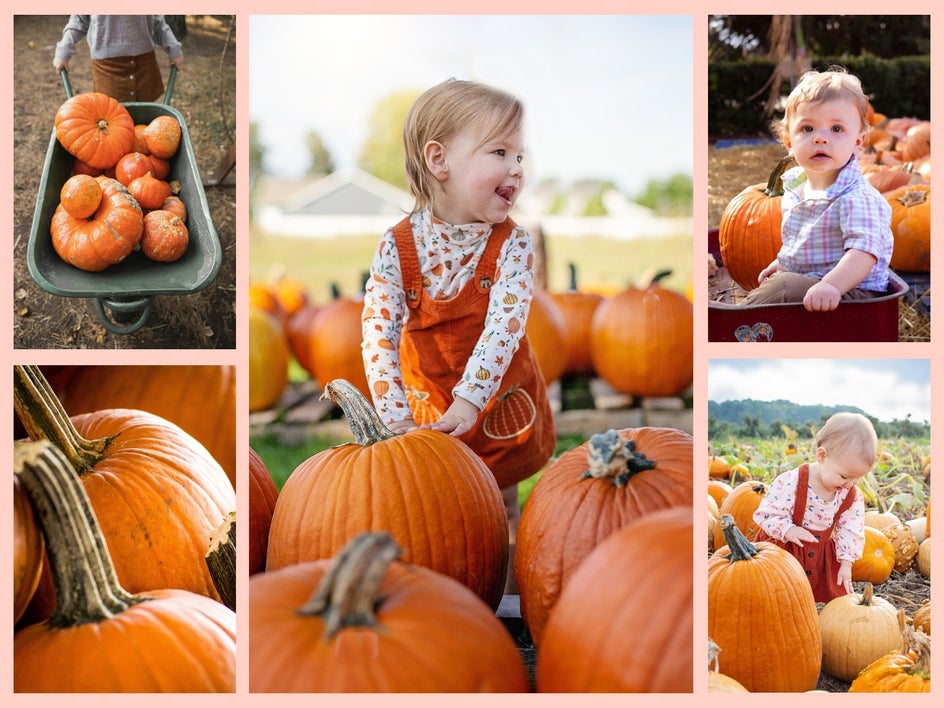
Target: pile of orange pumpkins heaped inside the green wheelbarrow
[118, 198]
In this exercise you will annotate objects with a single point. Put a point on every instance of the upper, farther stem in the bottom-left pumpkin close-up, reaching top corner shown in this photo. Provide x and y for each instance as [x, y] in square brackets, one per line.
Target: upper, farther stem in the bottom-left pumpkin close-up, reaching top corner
[44, 418]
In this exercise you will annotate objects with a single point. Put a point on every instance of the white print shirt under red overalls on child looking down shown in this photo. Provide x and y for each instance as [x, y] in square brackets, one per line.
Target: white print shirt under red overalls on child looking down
[775, 515]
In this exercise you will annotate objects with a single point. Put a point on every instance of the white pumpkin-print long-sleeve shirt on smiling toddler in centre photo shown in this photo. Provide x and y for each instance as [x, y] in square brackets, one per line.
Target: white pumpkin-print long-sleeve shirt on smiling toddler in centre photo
[448, 255]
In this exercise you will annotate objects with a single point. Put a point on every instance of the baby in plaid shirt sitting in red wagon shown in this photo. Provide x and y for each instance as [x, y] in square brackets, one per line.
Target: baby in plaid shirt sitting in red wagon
[836, 227]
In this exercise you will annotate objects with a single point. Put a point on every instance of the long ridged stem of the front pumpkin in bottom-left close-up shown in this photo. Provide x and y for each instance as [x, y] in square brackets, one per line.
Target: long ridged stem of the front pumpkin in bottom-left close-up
[87, 587]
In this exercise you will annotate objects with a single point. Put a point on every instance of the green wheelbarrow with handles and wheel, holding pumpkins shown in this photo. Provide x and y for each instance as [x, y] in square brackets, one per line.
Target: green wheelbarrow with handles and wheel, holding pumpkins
[123, 293]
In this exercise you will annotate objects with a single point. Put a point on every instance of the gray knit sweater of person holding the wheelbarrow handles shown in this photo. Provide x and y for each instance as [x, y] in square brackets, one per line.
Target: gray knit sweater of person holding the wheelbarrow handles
[117, 36]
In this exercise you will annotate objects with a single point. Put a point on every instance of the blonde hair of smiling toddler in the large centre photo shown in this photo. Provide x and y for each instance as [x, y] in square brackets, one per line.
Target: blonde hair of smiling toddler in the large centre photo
[443, 111]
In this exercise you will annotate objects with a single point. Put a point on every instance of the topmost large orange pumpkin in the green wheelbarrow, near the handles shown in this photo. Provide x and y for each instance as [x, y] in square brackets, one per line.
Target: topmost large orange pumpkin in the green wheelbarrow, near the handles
[95, 128]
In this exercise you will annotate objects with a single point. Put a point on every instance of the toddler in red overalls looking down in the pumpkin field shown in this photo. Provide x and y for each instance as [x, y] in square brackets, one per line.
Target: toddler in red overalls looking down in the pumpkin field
[816, 512]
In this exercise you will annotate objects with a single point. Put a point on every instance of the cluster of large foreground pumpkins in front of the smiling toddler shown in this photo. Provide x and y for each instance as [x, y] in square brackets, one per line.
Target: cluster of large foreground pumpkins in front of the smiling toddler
[404, 559]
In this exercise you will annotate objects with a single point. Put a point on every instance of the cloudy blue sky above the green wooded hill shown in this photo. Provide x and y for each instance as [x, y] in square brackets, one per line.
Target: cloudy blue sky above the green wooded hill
[884, 388]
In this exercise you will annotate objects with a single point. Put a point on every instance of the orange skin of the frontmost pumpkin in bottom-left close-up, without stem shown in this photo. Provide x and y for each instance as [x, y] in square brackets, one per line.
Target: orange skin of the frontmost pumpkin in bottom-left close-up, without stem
[183, 643]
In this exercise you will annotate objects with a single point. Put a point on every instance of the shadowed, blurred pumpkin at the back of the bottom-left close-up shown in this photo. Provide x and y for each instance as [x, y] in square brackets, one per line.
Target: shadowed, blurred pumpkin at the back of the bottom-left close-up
[178, 393]
